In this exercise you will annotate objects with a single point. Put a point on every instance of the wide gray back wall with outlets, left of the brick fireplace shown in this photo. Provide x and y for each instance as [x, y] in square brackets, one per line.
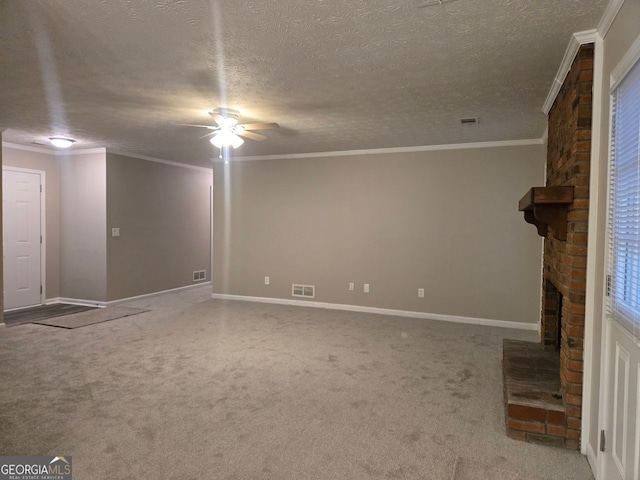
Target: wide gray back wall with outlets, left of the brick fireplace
[446, 221]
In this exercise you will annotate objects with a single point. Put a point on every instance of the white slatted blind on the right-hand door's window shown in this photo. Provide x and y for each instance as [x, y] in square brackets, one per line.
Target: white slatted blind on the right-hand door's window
[624, 204]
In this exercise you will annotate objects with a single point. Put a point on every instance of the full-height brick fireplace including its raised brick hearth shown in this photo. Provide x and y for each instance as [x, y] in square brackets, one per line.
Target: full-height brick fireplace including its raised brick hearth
[549, 409]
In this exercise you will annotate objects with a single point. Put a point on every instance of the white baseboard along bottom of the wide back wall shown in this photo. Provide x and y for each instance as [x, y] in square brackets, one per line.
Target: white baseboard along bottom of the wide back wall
[382, 311]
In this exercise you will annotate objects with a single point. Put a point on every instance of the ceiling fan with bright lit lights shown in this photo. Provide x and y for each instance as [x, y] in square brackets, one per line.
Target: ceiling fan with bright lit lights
[227, 131]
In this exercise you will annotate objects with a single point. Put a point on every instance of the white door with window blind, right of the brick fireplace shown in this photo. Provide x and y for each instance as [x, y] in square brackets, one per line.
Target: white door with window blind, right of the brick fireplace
[621, 457]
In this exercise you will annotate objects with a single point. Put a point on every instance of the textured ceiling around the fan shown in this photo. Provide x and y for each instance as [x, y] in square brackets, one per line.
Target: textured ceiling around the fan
[336, 75]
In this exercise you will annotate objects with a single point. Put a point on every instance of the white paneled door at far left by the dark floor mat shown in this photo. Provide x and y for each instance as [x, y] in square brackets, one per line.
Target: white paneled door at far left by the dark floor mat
[21, 236]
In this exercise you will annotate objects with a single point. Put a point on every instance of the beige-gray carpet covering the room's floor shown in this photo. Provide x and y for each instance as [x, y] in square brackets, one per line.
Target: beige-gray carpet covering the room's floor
[198, 388]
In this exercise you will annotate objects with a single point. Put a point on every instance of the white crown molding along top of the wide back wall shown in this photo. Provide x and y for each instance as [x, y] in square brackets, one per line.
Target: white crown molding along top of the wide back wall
[424, 148]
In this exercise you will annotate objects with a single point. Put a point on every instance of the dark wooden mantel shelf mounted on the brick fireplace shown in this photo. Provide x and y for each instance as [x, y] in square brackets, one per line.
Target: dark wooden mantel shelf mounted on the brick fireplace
[547, 207]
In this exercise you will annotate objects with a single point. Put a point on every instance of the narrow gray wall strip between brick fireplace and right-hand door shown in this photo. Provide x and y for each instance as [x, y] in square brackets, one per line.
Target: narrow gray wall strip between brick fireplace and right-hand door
[624, 30]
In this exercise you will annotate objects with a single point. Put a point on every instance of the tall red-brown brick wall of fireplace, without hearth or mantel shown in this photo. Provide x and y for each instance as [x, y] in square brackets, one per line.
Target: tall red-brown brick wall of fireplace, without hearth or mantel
[568, 156]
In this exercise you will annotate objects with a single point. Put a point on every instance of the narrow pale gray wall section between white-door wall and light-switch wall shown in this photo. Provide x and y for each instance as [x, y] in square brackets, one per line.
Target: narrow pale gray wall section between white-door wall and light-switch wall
[83, 246]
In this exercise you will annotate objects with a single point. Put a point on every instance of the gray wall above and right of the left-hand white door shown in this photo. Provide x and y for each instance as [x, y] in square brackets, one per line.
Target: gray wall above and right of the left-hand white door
[49, 164]
